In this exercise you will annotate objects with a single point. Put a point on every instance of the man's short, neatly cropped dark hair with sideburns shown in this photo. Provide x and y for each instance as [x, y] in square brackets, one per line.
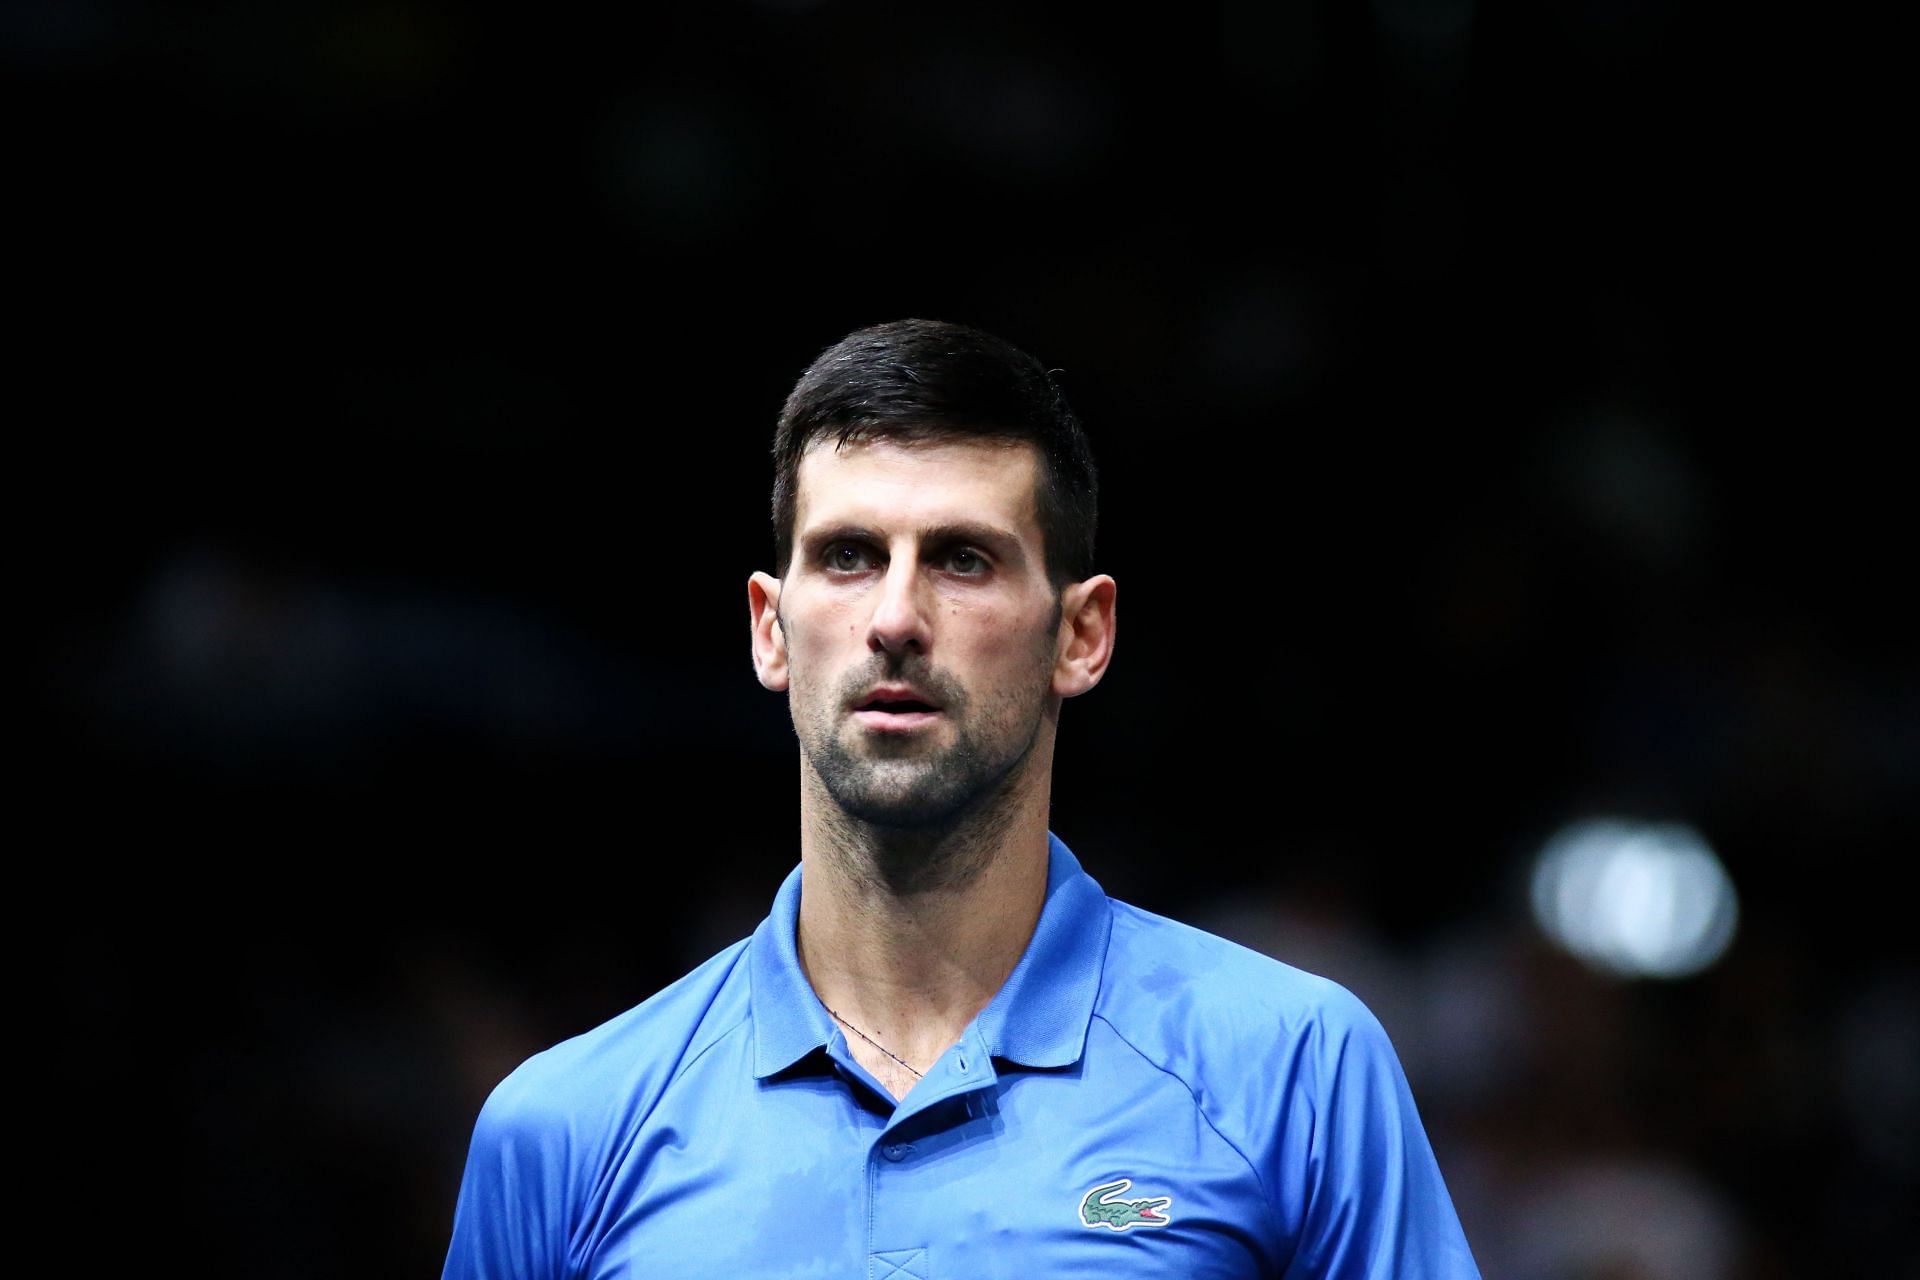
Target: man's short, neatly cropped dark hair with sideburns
[936, 381]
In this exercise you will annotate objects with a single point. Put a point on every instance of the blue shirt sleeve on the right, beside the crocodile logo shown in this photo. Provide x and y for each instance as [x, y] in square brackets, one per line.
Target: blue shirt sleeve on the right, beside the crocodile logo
[1376, 1204]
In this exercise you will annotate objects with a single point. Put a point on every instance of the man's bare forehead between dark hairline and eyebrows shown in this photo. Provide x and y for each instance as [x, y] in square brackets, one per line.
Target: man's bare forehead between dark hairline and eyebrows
[905, 485]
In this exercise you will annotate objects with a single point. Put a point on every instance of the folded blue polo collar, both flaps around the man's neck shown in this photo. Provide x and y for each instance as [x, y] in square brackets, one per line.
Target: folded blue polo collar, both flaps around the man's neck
[1038, 1018]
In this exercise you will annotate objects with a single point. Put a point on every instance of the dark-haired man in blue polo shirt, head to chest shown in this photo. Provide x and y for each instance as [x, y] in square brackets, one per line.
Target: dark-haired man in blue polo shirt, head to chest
[946, 1053]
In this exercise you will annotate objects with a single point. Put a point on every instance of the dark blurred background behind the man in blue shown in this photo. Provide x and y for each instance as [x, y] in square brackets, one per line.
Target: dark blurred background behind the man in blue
[1497, 467]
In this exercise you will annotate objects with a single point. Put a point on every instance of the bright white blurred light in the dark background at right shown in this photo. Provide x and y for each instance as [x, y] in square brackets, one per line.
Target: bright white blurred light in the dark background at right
[1635, 899]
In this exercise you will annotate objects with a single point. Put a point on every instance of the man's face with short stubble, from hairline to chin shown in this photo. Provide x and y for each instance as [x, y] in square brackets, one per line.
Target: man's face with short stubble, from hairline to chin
[919, 627]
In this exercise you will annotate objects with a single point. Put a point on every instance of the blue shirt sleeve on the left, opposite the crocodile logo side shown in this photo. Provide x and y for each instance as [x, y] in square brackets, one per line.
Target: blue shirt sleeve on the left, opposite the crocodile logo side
[512, 1221]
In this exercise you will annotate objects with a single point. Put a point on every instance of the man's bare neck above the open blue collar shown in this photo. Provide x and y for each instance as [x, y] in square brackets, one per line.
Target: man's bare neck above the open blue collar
[909, 934]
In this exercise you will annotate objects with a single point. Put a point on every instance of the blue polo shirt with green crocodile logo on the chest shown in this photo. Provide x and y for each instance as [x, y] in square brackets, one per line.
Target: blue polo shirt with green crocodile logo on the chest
[1141, 1099]
